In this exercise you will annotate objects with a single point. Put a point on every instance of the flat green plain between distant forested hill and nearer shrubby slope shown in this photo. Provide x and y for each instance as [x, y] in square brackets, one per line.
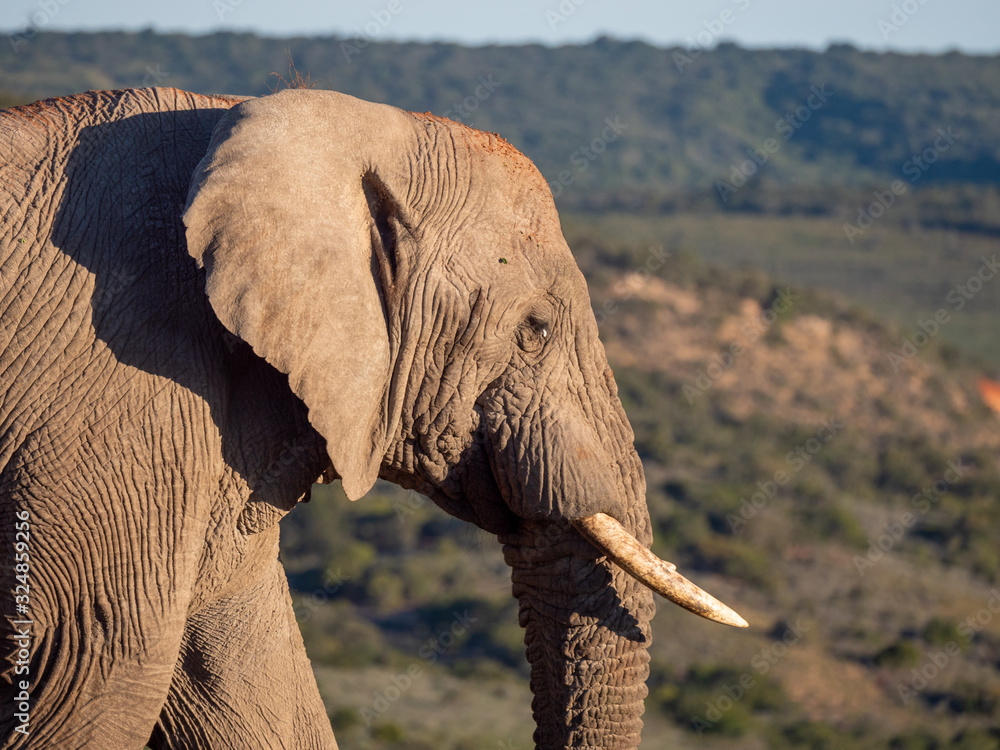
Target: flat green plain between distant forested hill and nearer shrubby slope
[903, 273]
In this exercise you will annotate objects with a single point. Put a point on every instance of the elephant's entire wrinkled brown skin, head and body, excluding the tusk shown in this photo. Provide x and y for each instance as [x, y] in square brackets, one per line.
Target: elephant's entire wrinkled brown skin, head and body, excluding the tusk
[358, 322]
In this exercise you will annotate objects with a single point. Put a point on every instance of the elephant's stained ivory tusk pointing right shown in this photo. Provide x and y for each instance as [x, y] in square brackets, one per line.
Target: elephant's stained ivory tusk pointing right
[609, 536]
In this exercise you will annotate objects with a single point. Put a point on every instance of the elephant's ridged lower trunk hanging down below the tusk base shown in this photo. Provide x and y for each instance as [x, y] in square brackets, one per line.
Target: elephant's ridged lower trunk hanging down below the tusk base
[587, 627]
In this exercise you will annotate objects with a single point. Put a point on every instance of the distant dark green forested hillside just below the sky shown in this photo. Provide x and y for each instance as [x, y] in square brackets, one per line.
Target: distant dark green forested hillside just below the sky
[844, 117]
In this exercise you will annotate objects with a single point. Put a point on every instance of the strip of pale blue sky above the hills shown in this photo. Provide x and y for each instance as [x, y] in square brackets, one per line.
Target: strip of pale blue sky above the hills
[906, 25]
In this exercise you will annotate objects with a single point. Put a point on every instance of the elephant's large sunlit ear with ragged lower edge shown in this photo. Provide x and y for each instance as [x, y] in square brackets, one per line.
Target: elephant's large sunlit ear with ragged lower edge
[296, 230]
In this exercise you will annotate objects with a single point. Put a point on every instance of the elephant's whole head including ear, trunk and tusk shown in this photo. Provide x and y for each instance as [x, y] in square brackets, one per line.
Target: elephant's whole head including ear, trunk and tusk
[410, 276]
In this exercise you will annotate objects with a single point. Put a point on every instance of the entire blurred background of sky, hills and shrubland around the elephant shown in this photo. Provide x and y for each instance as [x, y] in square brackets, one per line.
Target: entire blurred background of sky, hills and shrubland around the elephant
[789, 217]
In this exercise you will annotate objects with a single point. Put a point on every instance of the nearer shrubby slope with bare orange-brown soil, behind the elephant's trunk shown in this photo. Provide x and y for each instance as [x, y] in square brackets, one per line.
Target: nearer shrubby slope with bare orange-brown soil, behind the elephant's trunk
[837, 624]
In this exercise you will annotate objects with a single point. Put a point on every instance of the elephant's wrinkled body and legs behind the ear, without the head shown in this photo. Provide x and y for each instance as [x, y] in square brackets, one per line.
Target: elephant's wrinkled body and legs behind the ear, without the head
[149, 594]
